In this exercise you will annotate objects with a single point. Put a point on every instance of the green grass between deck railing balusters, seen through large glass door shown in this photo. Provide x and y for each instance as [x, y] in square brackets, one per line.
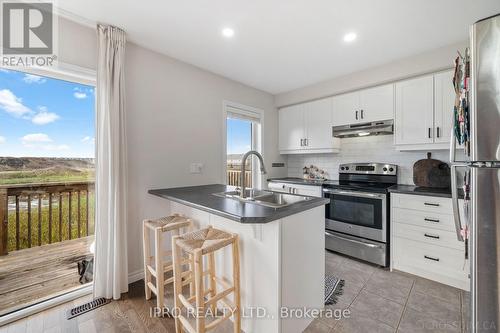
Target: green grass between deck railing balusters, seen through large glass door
[65, 219]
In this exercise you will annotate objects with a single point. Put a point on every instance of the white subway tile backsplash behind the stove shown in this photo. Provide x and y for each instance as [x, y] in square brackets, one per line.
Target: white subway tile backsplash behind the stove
[364, 149]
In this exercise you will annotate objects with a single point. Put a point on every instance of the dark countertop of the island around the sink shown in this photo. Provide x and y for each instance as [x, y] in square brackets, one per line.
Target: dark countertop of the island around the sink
[203, 198]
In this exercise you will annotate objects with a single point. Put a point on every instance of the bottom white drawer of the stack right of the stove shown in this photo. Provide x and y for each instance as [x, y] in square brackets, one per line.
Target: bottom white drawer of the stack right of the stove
[429, 257]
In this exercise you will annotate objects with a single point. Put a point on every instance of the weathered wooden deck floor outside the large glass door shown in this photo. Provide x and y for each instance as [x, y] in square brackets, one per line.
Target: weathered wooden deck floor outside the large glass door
[31, 275]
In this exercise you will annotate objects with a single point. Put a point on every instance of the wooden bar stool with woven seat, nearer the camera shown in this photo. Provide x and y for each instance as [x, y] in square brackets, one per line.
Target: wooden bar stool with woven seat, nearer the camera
[197, 244]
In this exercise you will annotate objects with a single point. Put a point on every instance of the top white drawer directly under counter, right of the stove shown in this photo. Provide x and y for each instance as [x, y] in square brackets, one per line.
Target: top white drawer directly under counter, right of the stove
[422, 203]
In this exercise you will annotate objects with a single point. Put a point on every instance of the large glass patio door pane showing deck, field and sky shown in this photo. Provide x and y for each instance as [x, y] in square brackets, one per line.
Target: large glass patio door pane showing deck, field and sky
[47, 170]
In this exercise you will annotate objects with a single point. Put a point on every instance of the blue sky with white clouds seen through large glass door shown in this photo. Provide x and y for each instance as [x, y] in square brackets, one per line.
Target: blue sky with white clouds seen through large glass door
[45, 117]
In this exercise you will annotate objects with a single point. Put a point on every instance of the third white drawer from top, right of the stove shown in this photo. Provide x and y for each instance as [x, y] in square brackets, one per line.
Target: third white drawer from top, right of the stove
[428, 236]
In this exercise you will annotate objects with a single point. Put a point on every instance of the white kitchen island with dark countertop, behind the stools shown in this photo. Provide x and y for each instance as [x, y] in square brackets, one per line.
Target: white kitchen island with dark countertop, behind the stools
[282, 252]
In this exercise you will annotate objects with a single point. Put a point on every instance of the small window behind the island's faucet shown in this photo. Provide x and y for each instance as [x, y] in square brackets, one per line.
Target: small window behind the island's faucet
[243, 133]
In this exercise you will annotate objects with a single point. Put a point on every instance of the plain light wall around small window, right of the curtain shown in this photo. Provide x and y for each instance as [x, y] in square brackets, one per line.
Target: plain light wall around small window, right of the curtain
[174, 118]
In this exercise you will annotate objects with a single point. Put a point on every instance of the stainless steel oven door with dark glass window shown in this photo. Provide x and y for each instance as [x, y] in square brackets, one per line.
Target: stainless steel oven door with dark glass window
[357, 213]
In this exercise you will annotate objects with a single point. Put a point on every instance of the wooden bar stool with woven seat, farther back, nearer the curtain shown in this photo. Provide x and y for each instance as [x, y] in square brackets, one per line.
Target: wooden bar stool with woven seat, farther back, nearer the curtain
[171, 224]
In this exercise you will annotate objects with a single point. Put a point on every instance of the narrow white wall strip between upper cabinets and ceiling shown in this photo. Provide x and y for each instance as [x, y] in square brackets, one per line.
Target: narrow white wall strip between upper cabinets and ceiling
[427, 62]
